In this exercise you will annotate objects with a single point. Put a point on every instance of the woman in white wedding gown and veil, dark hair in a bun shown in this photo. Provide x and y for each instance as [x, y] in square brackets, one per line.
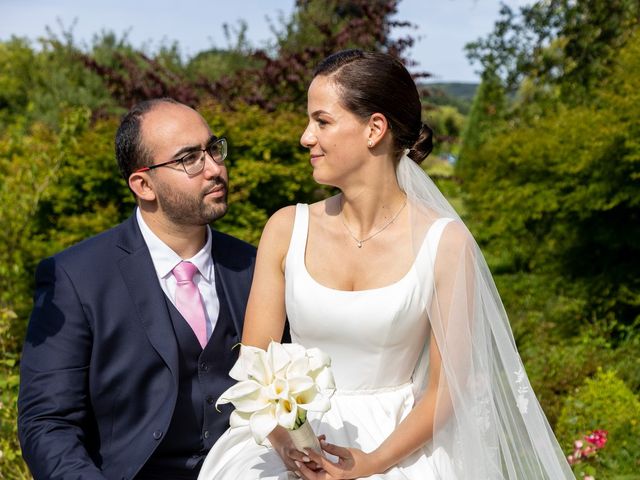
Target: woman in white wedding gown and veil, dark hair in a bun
[385, 278]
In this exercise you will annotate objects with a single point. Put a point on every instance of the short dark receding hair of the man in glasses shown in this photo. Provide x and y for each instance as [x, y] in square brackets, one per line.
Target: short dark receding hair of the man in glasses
[131, 153]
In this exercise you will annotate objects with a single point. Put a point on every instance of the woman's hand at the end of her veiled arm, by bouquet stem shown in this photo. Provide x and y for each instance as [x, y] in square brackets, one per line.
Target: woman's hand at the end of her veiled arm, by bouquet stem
[352, 463]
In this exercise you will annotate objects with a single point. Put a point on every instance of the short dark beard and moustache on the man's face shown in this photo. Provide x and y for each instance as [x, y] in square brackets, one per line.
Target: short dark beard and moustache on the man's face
[195, 209]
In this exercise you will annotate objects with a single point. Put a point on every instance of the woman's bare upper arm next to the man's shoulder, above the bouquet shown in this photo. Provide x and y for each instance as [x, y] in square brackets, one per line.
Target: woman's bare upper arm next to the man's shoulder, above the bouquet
[265, 316]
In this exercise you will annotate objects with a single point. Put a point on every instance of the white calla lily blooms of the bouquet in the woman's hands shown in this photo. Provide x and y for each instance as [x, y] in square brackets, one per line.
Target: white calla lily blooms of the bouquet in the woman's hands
[278, 387]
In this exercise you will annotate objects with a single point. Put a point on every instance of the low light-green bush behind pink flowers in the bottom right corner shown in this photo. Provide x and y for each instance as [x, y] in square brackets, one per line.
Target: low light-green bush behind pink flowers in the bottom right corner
[604, 402]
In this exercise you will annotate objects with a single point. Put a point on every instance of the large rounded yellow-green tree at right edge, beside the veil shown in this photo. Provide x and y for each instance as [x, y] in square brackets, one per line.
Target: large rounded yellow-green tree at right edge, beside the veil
[549, 201]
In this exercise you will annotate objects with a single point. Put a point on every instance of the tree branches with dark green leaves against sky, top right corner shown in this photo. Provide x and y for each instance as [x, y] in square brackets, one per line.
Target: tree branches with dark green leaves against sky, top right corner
[563, 42]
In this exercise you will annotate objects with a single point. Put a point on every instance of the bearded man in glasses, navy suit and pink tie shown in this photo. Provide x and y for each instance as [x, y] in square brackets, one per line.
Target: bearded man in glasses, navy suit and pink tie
[130, 340]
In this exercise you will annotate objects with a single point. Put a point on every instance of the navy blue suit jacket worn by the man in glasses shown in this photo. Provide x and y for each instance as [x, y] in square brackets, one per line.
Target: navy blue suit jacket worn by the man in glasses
[99, 365]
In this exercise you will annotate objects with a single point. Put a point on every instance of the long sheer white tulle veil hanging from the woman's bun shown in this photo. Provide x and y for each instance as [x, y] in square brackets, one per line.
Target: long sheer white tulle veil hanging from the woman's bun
[487, 418]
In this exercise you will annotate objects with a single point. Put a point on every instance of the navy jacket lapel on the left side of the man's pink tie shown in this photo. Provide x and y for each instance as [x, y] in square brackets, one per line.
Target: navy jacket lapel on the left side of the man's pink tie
[142, 282]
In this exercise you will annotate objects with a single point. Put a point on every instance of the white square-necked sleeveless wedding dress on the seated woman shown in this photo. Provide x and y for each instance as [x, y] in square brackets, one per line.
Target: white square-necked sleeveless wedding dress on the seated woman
[374, 338]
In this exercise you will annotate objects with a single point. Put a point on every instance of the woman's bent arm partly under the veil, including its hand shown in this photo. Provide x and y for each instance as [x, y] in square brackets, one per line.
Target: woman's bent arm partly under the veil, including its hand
[453, 292]
